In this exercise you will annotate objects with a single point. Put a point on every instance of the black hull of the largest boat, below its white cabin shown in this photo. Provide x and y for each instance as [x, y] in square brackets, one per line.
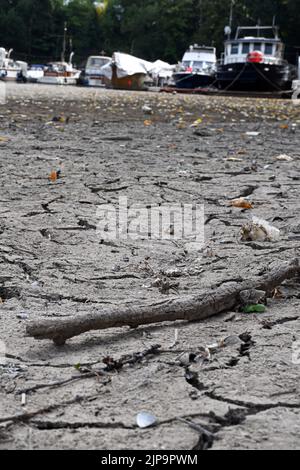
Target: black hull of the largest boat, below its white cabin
[256, 77]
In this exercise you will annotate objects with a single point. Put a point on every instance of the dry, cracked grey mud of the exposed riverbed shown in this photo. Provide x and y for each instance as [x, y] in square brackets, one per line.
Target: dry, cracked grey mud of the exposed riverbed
[53, 264]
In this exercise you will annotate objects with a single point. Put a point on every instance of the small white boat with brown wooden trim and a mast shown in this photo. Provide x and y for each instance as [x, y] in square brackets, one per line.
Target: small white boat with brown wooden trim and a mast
[60, 73]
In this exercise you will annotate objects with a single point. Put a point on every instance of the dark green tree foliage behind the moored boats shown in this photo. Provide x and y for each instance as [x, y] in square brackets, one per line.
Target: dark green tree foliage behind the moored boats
[147, 28]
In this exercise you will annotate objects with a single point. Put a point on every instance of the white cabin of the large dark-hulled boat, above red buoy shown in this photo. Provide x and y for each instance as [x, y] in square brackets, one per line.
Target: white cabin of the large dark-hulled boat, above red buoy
[257, 48]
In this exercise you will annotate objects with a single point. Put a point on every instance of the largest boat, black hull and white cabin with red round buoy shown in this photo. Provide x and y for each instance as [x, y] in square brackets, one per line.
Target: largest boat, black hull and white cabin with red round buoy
[255, 62]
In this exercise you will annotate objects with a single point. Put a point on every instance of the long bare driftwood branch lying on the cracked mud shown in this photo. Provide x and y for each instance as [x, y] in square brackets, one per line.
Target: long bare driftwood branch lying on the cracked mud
[192, 308]
